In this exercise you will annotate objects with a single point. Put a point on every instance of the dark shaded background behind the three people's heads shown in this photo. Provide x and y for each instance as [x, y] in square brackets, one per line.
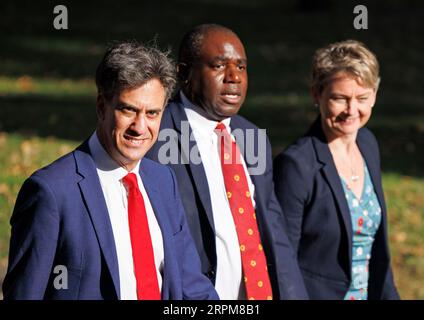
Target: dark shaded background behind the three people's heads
[280, 38]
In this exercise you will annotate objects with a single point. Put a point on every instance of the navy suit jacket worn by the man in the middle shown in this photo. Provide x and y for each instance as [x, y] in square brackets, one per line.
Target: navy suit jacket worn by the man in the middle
[286, 279]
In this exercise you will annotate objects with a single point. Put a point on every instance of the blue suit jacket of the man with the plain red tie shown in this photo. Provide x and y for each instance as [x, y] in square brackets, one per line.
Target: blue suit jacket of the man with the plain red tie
[61, 218]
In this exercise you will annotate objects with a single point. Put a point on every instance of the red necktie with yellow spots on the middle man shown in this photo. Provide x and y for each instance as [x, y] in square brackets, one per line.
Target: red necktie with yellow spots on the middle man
[256, 278]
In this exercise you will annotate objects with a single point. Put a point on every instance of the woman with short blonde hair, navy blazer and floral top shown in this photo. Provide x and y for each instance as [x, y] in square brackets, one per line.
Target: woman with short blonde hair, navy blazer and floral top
[329, 183]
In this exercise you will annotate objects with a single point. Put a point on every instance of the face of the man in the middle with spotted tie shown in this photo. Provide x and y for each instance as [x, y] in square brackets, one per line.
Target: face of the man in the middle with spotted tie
[217, 81]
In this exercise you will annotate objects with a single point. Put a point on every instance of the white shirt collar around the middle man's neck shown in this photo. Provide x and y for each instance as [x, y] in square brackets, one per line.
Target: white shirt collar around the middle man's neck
[198, 120]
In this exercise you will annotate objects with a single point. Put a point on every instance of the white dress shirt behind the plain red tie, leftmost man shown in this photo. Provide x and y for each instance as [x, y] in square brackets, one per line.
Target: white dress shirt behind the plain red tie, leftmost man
[114, 191]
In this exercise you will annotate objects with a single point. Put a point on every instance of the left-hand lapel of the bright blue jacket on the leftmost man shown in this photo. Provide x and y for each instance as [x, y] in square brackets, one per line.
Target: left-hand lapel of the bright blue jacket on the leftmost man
[92, 194]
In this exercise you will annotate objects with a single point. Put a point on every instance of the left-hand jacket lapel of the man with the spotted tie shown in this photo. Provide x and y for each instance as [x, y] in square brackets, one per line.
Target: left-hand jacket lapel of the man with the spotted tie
[197, 170]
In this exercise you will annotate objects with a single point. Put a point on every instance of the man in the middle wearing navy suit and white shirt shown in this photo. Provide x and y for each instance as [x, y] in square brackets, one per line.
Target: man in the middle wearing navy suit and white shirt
[212, 73]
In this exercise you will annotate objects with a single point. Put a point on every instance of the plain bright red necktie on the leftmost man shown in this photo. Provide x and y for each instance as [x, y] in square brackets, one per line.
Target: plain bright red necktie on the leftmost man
[141, 243]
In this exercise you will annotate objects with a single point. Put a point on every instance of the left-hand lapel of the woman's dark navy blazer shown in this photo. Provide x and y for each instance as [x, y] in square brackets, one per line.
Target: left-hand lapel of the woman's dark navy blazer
[332, 177]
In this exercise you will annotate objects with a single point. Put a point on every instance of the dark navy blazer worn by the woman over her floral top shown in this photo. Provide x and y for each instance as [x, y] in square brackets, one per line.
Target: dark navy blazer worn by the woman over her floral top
[309, 190]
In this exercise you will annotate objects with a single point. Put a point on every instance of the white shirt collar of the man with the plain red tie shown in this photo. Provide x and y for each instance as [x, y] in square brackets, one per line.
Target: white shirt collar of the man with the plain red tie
[104, 163]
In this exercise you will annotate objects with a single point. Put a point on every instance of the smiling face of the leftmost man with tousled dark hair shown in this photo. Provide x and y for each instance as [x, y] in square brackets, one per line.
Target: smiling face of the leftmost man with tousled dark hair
[128, 125]
